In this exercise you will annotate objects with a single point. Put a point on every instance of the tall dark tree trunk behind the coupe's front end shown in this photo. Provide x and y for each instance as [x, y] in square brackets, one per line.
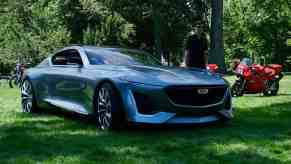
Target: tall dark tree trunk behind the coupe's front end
[216, 35]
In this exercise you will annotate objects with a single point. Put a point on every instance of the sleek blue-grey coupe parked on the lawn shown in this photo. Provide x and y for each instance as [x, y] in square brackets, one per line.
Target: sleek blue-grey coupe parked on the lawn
[115, 85]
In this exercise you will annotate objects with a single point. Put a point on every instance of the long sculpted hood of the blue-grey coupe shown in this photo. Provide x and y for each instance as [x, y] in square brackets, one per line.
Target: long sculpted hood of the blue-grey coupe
[170, 76]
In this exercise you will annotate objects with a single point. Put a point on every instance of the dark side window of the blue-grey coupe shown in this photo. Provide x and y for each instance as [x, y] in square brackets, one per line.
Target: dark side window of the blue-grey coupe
[67, 57]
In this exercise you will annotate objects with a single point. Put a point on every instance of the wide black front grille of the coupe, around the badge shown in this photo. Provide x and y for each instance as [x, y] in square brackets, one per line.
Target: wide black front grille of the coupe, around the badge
[189, 95]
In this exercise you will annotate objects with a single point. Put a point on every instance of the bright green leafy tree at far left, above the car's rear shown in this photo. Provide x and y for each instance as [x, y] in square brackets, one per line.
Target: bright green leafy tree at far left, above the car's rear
[30, 30]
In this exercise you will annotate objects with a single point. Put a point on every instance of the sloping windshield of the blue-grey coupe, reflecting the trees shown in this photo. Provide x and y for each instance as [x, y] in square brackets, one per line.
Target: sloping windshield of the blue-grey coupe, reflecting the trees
[120, 57]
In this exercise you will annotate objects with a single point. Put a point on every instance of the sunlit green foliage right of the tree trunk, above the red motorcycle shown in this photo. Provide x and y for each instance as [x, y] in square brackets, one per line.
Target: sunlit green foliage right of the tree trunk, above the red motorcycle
[259, 27]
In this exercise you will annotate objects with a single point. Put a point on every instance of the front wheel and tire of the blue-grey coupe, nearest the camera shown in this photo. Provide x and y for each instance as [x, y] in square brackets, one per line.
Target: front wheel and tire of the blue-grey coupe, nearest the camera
[108, 112]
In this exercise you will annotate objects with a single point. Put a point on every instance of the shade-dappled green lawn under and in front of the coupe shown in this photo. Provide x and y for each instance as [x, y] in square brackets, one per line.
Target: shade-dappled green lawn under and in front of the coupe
[45, 137]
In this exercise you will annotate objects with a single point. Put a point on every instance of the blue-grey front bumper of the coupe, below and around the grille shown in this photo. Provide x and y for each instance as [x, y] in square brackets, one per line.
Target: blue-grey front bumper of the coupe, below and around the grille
[167, 112]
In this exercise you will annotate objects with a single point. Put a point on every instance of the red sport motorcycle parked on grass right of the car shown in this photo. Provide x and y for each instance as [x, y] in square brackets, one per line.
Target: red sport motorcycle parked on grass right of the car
[255, 78]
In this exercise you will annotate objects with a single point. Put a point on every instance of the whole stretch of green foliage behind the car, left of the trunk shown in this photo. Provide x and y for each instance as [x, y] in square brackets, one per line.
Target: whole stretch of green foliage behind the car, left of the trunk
[31, 29]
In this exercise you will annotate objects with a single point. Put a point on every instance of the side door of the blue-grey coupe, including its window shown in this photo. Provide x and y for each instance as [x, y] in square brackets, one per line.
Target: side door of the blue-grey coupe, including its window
[67, 84]
